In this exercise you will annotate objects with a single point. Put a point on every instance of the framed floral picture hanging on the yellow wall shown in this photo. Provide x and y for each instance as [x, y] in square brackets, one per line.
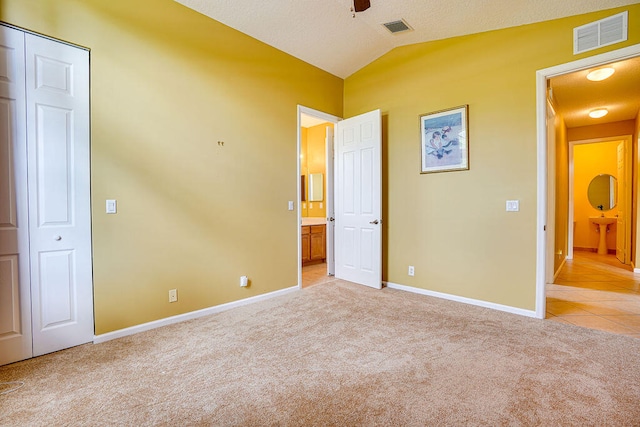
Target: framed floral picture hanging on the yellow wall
[444, 140]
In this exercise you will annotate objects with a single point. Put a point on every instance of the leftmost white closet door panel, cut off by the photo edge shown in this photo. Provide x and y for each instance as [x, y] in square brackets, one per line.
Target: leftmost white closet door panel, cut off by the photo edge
[15, 299]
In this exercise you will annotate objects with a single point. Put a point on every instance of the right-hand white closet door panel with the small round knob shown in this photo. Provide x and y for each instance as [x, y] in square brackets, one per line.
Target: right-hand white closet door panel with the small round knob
[59, 205]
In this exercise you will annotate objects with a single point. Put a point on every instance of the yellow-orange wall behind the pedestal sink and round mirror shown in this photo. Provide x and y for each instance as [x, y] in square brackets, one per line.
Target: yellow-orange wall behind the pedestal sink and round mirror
[590, 160]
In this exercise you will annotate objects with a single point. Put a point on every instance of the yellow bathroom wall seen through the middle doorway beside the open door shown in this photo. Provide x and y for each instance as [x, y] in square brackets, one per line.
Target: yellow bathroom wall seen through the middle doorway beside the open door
[316, 163]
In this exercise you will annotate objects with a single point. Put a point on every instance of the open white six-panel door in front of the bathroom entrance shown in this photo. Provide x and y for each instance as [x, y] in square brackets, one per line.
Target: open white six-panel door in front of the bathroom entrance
[358, 236]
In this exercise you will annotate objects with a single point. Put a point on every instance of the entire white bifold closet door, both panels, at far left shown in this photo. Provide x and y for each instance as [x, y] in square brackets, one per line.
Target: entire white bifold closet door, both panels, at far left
[46, 288]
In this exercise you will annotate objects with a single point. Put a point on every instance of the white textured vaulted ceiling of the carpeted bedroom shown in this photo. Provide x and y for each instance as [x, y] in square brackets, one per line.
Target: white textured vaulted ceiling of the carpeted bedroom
[324, 33]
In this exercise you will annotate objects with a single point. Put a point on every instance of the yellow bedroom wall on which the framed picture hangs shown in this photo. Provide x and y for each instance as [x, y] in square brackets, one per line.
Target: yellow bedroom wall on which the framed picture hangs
[453, 226]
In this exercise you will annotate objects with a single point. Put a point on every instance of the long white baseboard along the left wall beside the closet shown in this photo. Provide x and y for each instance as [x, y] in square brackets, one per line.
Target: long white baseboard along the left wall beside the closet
[97, 339]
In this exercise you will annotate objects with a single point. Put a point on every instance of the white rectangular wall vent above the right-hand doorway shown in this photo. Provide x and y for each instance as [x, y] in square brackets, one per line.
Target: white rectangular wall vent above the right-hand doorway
[601, 33]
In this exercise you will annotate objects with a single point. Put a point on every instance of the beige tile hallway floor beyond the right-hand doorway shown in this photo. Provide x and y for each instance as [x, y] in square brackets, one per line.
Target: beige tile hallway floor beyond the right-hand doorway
[597, 292]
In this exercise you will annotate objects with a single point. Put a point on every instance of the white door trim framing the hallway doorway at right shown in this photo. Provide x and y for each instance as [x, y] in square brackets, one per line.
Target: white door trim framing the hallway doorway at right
[541, 115]
